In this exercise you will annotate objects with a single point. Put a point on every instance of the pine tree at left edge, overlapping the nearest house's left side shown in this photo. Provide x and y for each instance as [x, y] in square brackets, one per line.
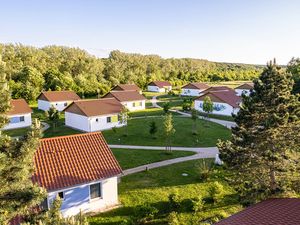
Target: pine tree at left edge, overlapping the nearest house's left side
[18, 195]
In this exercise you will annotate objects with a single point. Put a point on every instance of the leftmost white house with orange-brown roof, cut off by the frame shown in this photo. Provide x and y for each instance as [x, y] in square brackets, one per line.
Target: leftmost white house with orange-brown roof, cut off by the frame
[19, 115]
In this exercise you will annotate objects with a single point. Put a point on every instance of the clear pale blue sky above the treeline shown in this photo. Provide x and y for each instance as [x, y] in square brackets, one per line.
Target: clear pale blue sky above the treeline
[241, 31]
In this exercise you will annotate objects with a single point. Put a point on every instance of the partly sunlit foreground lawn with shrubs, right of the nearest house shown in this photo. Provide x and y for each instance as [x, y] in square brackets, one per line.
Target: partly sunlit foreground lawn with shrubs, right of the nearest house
[153, 188]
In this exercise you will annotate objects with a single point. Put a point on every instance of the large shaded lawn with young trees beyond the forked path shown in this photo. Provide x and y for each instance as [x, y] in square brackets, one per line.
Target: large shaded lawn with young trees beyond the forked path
[138, 133]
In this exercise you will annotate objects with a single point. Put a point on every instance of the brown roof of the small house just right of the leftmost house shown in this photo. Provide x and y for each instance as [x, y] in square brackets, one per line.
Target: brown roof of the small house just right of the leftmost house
[57, 96]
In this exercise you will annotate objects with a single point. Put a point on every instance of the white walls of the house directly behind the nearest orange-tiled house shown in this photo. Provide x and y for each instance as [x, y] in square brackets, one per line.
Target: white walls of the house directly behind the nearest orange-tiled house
[89, 124]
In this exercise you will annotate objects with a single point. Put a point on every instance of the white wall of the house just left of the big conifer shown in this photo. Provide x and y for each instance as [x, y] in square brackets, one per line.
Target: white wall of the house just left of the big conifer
[219, 108]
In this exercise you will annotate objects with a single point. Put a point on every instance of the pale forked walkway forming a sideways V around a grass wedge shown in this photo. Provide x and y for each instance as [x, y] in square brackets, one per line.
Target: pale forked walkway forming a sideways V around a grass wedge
[201, 153]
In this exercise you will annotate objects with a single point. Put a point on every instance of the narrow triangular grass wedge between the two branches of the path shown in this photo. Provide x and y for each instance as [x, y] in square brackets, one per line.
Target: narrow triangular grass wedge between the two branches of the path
[129, 158]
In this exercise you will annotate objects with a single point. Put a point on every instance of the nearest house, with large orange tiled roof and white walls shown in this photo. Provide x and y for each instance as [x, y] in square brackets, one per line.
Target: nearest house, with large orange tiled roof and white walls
[81, 170]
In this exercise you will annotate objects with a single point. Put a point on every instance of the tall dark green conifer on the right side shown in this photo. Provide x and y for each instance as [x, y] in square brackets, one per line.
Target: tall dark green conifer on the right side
[262, 152]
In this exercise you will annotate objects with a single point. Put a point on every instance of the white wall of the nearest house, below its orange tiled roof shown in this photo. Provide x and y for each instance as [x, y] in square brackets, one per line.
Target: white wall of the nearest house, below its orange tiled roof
[78, 198]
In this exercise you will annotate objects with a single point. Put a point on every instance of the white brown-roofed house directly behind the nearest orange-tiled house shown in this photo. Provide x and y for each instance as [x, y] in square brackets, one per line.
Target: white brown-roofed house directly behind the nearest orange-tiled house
[94, 115]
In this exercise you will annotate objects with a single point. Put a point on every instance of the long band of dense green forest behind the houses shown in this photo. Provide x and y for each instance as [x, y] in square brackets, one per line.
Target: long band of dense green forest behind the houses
[31, 70]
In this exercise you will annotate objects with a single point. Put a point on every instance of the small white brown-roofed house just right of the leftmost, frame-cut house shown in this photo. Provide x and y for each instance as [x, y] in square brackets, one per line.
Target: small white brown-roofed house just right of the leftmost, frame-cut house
[58, 99]
